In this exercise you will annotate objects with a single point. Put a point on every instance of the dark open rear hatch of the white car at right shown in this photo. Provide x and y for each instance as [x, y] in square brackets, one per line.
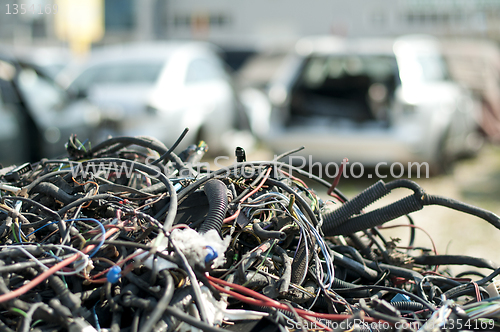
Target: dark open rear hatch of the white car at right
[355, 87]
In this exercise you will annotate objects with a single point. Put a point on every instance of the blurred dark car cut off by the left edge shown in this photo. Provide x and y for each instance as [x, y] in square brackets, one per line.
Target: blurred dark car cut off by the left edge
[36, 115]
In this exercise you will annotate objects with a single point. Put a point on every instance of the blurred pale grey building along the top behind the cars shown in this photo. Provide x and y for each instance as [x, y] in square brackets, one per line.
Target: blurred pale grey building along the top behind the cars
[260, 23]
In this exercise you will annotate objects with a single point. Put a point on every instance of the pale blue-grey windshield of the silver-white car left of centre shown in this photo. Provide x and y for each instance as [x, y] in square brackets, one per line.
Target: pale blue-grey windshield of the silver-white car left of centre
[119, 73]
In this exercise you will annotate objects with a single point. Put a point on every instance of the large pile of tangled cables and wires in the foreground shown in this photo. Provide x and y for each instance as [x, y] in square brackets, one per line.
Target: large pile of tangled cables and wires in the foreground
[130, 236]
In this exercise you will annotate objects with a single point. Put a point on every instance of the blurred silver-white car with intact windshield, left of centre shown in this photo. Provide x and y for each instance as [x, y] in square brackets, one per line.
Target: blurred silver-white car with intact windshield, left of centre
[158, 89]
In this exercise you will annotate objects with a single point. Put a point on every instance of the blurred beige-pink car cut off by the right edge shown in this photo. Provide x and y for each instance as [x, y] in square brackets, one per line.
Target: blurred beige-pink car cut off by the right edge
[476, 64]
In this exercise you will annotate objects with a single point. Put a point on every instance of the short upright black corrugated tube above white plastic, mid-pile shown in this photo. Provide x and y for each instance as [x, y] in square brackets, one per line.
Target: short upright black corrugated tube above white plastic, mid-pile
[216, 192]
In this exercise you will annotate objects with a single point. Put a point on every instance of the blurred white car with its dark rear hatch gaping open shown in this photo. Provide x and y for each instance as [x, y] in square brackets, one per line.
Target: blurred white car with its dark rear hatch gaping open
[370, 100]
